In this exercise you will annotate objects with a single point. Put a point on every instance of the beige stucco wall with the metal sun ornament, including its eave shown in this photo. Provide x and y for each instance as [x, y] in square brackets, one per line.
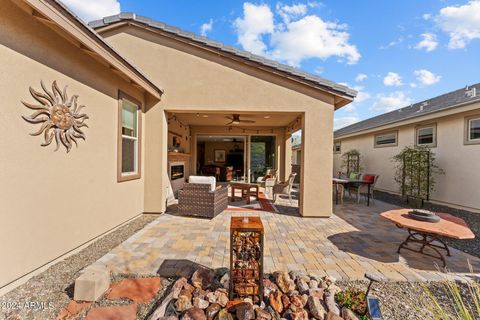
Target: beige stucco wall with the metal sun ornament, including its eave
[52, 202]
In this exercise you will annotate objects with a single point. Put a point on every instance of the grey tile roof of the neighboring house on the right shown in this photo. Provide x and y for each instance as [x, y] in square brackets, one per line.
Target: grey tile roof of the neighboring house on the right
[436, 104]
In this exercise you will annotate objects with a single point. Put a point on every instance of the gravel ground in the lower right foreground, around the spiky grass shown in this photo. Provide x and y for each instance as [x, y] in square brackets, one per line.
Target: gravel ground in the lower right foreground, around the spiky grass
[409, 300]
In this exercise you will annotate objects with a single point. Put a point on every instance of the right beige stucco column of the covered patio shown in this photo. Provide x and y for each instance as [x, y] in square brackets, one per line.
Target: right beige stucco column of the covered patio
[316, 164]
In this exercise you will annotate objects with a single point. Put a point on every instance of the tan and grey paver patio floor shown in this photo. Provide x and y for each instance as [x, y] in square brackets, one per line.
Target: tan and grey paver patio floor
[355, 240]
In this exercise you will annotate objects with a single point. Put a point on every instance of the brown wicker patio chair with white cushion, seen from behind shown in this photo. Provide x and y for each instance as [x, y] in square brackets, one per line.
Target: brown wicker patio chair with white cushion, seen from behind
[199, 200]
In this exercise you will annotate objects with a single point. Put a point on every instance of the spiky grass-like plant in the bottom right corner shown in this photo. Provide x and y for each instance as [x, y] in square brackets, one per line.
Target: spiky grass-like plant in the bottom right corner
[465, 306]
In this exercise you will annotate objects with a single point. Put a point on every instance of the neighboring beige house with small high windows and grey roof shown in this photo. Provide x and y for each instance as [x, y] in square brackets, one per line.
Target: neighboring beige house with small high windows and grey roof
[449, 124]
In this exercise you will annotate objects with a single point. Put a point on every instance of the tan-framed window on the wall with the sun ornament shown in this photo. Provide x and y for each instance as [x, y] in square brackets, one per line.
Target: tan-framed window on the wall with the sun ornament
[129, 138]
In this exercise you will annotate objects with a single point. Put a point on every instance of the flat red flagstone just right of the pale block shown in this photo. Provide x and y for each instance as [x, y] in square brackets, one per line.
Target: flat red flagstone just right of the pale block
[139, 290]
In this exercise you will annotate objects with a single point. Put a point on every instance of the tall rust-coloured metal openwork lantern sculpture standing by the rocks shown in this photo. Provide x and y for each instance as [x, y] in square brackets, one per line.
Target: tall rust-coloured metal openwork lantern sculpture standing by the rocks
[246, 258]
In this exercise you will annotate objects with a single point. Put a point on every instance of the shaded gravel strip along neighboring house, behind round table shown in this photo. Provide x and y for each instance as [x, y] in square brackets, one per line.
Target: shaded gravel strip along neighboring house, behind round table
[472, 219]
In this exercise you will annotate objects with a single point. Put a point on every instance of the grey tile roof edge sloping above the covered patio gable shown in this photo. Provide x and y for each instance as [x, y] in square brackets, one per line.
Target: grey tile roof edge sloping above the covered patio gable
[319, 81]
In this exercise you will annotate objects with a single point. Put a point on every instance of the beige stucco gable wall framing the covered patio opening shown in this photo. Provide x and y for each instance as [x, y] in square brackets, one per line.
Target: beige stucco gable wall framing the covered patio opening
[195, 79]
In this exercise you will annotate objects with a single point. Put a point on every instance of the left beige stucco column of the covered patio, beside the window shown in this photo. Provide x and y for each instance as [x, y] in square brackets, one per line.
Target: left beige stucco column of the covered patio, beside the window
[155, 168]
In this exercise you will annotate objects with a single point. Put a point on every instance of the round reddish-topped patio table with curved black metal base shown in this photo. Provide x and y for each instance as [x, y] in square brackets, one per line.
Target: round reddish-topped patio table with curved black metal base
[427, 233]
